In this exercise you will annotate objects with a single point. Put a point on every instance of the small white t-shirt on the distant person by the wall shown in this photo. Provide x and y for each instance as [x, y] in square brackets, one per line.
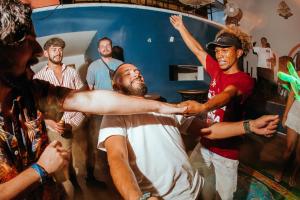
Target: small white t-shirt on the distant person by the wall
[263, 55]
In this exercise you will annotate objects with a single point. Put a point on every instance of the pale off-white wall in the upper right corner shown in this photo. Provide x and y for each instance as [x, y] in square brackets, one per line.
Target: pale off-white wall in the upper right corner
[260, 19]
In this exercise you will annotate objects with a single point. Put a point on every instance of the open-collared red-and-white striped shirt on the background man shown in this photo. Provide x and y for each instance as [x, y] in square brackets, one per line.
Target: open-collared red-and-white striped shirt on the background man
[70, 79]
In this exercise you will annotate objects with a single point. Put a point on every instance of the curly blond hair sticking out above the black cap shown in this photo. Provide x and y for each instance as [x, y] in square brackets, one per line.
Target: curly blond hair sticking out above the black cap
[237, 32]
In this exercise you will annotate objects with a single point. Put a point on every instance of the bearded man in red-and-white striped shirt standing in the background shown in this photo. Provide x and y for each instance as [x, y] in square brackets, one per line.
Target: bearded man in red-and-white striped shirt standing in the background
[61, 129]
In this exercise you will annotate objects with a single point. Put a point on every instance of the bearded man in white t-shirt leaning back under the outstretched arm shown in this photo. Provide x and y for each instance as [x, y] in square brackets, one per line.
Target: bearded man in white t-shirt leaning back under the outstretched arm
[146, 153]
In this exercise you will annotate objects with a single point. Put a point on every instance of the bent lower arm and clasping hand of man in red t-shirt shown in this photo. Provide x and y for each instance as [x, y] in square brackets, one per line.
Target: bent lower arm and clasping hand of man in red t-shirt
[216, 102]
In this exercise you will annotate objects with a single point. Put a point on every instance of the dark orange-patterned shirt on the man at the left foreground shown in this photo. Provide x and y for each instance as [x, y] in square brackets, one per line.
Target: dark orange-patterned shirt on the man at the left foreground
[23, 134]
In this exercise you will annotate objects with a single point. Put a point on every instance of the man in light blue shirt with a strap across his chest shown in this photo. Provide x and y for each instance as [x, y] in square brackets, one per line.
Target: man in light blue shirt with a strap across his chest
[98, 77]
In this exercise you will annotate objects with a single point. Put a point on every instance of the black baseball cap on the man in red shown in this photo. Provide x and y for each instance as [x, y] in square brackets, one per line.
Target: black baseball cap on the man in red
[225, 40]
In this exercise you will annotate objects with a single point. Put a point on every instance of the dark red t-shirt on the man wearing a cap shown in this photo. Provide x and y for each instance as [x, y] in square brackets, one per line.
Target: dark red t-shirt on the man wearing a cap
[232, 111]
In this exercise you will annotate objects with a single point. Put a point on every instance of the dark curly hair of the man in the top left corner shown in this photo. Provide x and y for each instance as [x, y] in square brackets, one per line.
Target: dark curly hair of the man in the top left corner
[15, 21]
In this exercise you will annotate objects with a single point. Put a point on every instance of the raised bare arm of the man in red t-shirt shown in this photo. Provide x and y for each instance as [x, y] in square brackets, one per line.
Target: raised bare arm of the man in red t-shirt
[189, 40]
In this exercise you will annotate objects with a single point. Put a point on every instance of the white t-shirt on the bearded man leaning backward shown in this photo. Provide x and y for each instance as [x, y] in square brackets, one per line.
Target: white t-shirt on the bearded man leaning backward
[158, 157]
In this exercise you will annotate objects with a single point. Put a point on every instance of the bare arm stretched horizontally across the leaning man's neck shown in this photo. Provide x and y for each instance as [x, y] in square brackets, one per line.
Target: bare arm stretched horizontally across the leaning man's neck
[111, 103]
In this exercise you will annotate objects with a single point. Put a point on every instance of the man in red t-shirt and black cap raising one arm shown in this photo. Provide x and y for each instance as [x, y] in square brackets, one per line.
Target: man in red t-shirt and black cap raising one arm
[229, 88]
